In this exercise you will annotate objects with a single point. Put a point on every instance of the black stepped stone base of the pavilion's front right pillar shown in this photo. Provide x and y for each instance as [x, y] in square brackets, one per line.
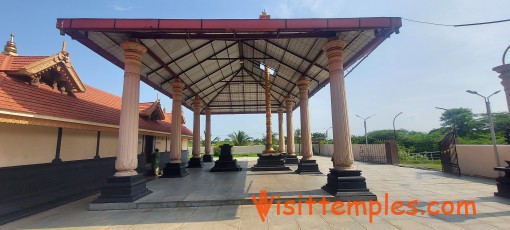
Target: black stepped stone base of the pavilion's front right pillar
[348, 185]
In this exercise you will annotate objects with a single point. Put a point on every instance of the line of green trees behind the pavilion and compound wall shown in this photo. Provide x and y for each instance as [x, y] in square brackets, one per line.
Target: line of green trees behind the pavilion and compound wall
[470, 128]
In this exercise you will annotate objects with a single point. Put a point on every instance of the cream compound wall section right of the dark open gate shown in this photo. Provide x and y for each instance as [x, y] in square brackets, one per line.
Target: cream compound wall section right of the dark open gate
[479, 160]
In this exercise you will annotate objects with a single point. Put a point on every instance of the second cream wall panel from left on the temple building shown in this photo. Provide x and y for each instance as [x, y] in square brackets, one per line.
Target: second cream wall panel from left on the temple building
[78, 144]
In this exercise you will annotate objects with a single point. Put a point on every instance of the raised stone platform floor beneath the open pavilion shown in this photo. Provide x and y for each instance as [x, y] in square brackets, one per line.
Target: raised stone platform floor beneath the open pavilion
[203, 188]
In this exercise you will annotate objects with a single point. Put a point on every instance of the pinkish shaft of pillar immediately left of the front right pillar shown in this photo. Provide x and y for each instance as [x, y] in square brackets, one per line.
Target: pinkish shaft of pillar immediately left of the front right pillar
[306, 136]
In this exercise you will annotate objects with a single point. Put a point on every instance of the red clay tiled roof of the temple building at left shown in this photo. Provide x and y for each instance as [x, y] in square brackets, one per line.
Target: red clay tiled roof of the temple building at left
[93, 105]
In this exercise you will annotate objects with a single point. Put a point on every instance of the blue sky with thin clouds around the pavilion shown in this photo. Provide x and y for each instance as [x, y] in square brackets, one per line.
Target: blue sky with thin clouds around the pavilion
[412, 72]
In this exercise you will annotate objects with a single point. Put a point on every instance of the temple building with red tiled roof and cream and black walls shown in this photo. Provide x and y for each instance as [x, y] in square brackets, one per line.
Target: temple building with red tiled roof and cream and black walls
[59, 136]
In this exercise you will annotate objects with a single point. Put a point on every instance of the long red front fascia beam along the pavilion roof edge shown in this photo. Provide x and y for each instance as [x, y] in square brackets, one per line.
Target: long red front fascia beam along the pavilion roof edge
[228, 25]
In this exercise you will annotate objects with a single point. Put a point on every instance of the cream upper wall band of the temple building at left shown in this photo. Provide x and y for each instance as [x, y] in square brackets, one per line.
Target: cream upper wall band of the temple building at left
[30, 144]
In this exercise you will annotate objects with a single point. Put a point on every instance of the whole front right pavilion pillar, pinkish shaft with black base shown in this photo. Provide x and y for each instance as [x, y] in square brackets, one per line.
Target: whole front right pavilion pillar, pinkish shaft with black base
[343, 179]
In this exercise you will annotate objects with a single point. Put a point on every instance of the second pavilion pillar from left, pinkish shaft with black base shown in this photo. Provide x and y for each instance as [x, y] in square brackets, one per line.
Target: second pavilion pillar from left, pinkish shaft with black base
[176, 168]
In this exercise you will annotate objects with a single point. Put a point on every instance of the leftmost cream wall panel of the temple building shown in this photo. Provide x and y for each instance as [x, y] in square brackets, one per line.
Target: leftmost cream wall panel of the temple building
[26, 144]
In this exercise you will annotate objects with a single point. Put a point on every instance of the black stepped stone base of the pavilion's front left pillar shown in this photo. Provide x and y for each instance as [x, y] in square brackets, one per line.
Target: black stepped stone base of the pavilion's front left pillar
[123, 189]
